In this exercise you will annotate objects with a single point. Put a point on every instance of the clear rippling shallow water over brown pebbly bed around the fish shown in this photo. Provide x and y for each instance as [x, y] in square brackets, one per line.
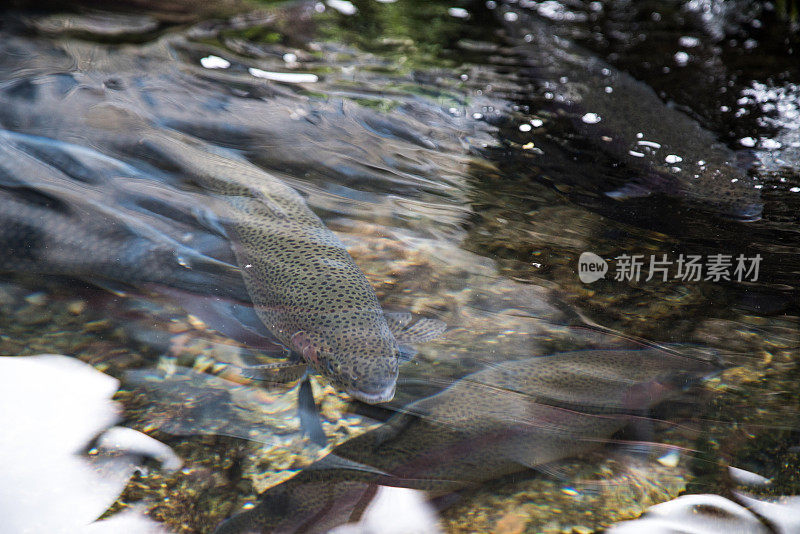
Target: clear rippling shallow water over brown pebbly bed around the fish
[464, 193]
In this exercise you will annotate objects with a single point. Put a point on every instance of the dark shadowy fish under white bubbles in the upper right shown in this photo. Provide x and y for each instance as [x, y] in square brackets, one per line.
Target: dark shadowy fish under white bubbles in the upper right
[670, 152]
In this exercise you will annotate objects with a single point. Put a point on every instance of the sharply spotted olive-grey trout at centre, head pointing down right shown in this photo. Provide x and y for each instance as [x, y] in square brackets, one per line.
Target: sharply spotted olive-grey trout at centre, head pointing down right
[305, 286]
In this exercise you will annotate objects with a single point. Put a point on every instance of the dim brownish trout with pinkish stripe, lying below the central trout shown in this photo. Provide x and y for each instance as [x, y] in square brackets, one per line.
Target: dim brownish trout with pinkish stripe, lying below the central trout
[489, 424]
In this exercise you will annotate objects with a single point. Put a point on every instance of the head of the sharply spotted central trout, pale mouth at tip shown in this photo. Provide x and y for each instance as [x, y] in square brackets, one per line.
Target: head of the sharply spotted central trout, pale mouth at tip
[359, 360]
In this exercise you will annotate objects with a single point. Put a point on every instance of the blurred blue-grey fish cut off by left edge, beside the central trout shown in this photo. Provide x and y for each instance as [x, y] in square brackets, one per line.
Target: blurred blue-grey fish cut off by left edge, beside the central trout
[72, 211]
